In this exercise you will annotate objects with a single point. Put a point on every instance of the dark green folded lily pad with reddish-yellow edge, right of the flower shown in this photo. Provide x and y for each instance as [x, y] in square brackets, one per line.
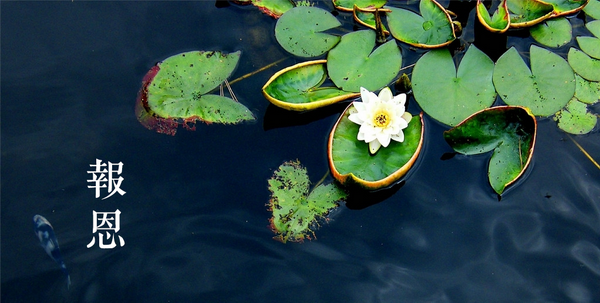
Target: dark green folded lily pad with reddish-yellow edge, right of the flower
[508, 131]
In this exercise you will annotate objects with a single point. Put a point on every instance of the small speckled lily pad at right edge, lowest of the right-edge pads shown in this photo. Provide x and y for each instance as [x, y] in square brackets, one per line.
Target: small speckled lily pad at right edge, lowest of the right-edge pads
[575, 119]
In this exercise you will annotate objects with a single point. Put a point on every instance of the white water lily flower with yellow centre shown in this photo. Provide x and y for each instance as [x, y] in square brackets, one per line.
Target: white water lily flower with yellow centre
[381, 118]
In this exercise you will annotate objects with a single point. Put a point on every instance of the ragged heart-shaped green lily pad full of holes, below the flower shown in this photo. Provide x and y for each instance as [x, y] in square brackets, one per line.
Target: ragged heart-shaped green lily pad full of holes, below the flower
[296, 211]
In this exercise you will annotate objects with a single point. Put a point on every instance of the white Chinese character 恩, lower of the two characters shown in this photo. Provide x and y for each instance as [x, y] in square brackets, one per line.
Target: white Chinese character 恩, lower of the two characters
[109, 223]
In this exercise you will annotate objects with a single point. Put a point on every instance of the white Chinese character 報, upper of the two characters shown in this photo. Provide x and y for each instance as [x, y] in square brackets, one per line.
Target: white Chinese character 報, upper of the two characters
[104, 177]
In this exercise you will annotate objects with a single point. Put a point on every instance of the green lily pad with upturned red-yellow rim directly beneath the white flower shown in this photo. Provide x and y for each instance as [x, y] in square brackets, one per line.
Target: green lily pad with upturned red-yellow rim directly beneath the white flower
[352, 164]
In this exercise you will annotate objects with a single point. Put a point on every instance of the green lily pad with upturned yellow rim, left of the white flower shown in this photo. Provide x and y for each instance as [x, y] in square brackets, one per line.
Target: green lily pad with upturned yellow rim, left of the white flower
[299, 88]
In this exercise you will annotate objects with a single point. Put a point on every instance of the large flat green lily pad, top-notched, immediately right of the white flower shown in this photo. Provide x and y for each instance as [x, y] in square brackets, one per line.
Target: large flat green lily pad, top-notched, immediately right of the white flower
[448, 95]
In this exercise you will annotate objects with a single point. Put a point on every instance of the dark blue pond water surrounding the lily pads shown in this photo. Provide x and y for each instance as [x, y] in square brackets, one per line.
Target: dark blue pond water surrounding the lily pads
[194, 218]
